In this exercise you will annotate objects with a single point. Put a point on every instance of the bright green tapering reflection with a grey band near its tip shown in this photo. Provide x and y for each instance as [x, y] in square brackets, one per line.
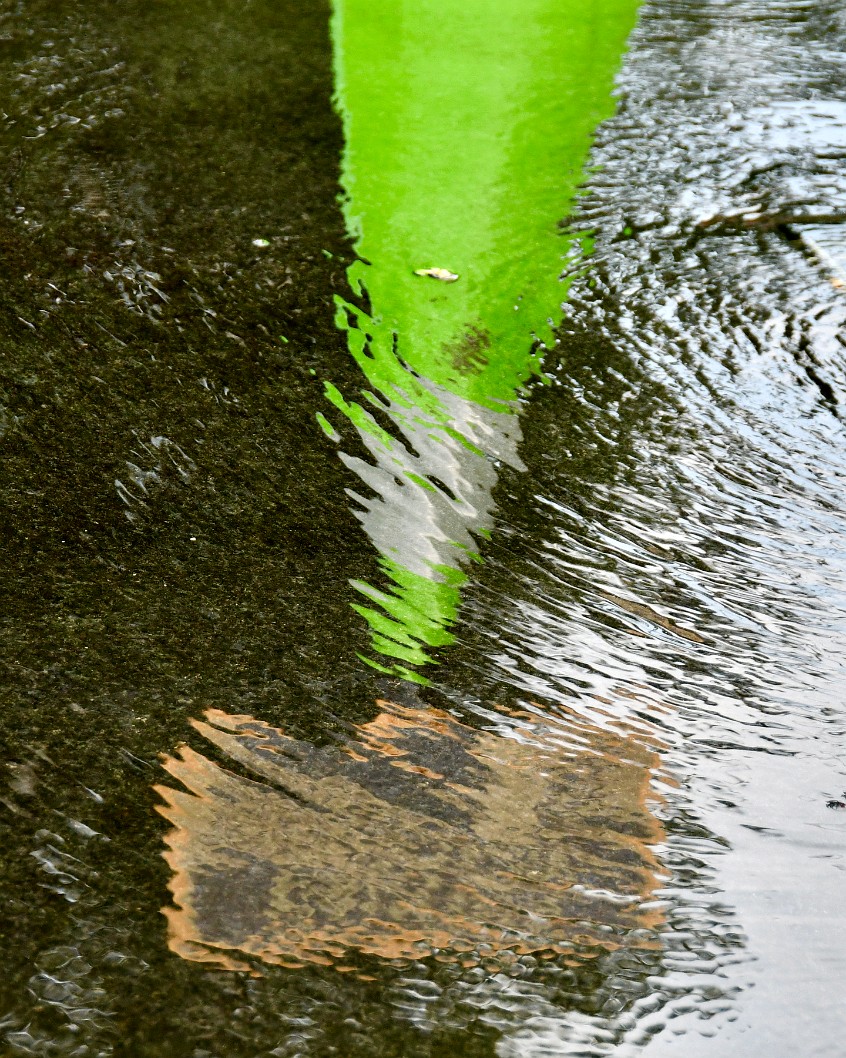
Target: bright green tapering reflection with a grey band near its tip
[468, 125]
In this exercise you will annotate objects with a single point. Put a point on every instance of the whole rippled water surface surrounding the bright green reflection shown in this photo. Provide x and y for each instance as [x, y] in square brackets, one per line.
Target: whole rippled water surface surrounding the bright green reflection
[647, 687]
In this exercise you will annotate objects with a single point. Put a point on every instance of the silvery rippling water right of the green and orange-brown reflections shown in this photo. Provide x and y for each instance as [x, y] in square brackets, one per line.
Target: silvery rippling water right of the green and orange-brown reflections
[698, 397]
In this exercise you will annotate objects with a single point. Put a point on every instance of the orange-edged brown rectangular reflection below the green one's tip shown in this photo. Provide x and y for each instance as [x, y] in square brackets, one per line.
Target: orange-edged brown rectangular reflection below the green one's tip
[417, 835]
